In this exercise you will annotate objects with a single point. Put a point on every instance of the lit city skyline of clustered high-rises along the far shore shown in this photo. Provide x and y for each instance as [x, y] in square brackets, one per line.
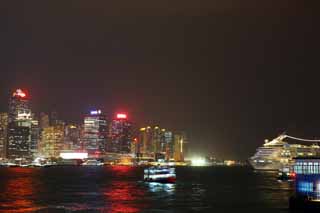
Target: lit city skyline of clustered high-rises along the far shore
[27, 135]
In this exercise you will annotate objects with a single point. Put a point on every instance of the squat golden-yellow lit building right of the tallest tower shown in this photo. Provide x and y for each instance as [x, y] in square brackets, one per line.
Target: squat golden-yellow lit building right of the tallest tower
[52, 141]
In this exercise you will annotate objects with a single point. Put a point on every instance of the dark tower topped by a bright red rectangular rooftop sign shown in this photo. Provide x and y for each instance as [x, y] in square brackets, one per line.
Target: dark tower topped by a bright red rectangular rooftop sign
[120, 135]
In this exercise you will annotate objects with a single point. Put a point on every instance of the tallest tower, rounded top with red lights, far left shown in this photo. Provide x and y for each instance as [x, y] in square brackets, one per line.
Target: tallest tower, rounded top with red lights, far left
[19, 125]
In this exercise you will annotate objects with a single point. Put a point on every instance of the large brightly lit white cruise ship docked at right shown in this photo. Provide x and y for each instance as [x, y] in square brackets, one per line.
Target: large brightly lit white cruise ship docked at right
[275, 154]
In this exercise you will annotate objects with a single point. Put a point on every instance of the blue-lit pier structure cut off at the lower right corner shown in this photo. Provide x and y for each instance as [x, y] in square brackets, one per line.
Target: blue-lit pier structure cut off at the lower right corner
[307, 184]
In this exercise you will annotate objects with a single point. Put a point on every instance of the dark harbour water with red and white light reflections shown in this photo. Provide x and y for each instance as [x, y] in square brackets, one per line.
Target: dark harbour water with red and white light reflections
[121, 189]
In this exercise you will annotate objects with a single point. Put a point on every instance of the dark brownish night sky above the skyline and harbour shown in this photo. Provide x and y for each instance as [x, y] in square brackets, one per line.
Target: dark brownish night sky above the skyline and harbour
[229, 72]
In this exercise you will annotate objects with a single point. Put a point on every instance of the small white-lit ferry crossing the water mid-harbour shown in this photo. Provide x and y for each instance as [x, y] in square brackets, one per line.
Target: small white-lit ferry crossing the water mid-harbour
[160, 174]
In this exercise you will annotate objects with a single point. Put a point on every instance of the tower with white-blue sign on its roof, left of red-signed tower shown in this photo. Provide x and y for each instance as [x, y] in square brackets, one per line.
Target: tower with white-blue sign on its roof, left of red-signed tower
[95, 132]
